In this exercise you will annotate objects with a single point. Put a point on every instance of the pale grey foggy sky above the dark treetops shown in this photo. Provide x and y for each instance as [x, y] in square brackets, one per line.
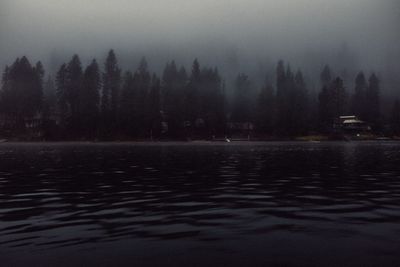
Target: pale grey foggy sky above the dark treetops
[235, 35]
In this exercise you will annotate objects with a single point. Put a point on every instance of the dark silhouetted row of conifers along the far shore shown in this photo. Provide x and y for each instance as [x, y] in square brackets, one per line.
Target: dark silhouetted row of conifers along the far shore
[105, 103]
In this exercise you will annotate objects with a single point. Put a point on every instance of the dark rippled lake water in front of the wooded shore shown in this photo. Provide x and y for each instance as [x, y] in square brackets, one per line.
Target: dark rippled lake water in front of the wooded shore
[199, 204]
